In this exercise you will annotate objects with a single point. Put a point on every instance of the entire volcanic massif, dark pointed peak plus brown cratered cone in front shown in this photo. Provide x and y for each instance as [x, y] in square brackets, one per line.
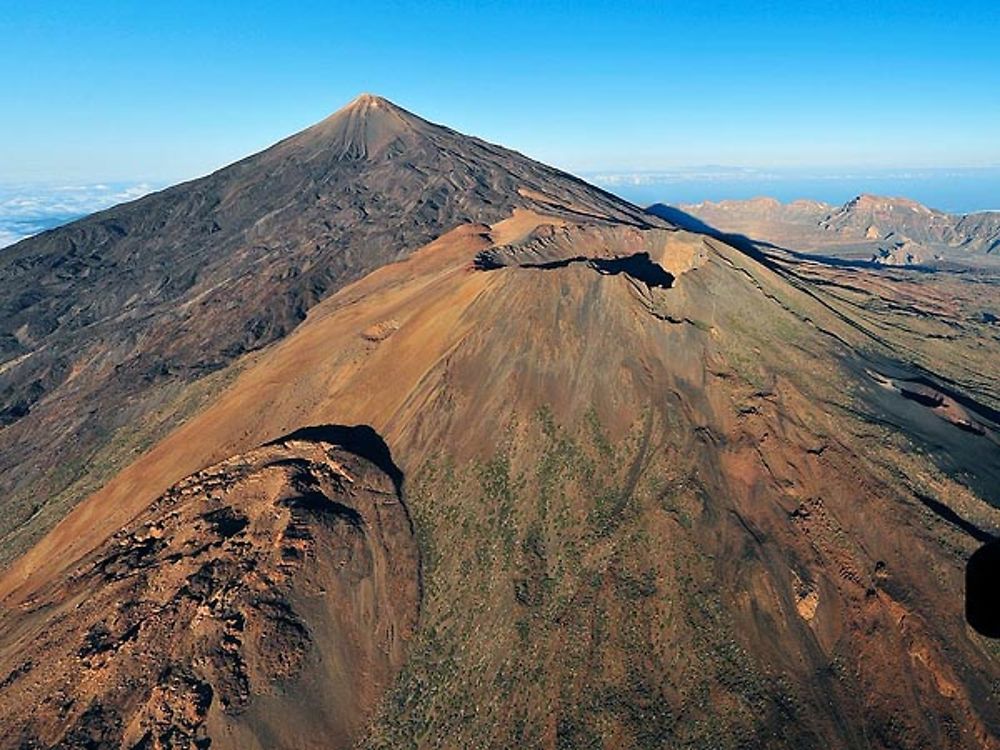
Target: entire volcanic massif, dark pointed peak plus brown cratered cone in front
[436, 446]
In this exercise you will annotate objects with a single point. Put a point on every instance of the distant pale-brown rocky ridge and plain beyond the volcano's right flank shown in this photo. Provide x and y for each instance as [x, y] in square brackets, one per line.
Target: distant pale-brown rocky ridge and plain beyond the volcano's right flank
[890, 231]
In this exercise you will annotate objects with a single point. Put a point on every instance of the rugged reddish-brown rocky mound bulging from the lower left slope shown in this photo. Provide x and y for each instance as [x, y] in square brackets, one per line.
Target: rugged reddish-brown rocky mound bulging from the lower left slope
[265, 601]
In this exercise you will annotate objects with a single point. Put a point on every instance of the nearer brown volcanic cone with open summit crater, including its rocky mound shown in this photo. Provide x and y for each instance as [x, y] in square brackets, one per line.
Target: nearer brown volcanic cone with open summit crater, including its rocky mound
[666, 493]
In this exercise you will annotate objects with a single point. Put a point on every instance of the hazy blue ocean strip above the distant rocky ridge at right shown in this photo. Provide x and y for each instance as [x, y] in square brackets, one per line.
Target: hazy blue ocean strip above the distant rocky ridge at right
[952, 190]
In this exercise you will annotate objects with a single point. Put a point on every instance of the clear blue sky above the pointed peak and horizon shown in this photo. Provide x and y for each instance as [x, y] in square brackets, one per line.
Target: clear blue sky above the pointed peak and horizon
[166, 90]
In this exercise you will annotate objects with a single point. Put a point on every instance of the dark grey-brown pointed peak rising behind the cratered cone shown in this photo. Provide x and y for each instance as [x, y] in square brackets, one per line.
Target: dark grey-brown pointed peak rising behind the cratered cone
[142, 306]
